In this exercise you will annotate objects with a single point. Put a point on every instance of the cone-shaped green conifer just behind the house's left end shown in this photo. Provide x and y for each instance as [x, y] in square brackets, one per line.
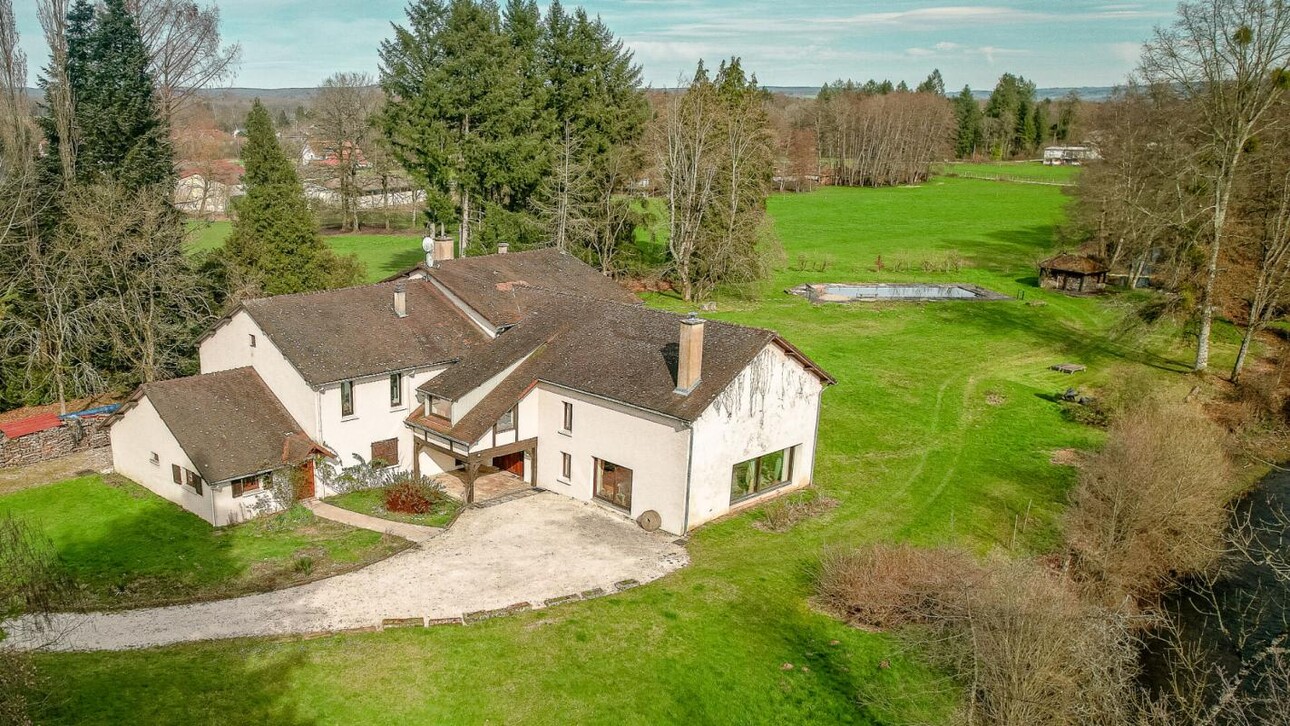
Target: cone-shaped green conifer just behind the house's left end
[275, 244]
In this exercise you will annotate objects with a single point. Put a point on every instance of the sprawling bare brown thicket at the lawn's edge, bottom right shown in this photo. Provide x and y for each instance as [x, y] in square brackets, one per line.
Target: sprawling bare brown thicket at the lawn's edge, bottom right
[1020, 644]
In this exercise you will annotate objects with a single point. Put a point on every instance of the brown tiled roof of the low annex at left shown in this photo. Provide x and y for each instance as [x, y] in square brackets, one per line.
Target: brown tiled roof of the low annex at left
[229, 424]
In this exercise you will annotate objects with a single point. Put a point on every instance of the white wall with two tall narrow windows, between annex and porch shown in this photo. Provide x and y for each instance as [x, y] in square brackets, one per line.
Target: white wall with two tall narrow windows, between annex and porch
[373, 418]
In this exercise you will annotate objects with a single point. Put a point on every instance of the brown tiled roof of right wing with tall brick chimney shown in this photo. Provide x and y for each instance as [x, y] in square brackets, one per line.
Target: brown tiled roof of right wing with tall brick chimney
[626, 354]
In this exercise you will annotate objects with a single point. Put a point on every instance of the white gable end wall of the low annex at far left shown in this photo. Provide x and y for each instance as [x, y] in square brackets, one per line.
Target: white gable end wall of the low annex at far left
[135, 438]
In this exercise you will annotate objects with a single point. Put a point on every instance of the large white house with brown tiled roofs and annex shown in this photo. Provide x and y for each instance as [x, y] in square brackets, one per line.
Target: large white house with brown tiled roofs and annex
[532, 363]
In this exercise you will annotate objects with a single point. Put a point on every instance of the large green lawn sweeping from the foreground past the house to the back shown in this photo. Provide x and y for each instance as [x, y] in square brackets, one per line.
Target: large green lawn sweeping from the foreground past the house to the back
[940, 431]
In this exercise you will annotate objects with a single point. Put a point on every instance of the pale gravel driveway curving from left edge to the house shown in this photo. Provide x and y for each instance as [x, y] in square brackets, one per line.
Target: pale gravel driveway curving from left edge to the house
[531, 553]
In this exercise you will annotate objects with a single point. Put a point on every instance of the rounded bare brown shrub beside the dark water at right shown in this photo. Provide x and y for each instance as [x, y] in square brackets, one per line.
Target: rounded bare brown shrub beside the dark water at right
[1153, 505]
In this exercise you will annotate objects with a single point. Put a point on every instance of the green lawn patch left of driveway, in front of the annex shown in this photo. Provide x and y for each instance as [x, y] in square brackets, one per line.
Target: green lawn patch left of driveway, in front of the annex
[127, 547]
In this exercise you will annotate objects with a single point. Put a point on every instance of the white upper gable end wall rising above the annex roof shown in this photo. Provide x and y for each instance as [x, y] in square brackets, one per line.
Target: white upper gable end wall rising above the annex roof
[230, 348]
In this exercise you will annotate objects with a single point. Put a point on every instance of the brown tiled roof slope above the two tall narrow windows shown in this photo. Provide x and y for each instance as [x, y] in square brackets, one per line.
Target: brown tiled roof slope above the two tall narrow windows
[354, 332]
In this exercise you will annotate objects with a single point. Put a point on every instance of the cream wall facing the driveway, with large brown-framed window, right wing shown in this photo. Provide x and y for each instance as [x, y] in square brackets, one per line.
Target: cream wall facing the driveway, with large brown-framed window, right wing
[653, 447]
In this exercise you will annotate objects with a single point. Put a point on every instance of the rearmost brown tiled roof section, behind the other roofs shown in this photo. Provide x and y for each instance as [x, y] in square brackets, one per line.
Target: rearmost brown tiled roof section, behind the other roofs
[490, 284]
